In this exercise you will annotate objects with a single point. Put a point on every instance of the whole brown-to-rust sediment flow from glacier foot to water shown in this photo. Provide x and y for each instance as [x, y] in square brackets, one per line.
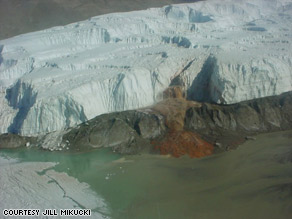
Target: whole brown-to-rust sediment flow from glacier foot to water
[178, 141]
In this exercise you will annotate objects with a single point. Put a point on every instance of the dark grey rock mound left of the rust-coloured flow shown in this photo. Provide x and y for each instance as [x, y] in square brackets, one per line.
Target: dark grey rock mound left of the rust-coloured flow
[128, 132]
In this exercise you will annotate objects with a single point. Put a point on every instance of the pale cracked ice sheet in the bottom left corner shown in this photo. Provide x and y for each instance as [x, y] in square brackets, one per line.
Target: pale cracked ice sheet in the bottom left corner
[34, 185]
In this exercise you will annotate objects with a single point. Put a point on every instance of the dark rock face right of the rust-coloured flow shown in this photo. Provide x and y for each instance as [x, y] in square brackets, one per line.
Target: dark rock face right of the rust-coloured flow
[229, 124]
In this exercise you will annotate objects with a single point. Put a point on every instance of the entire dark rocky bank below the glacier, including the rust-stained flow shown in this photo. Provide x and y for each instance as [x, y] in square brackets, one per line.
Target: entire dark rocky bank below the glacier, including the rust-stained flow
[175, 126]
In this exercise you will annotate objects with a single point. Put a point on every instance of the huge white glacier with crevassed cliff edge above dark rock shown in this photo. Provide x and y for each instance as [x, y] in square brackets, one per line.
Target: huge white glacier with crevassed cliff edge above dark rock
[221, 51]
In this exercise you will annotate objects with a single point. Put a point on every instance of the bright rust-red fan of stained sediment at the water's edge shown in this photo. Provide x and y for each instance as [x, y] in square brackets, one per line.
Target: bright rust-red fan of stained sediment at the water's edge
[184, 143]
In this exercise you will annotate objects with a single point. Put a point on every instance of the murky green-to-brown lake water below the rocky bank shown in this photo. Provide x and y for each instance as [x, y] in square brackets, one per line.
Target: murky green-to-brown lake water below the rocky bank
[253, 181]
